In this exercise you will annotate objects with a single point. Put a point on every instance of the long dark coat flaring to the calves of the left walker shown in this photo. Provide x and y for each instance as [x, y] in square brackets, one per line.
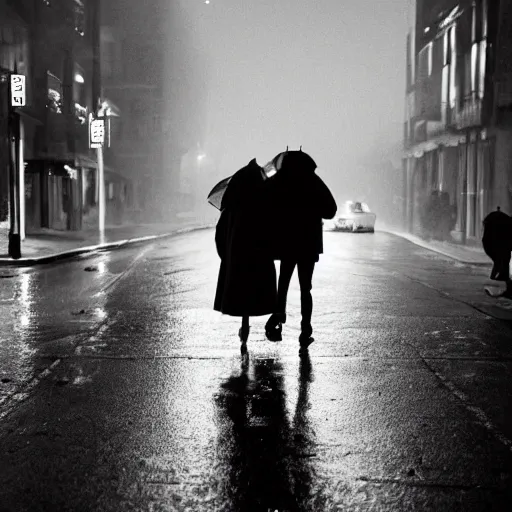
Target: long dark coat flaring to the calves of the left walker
[246, 284]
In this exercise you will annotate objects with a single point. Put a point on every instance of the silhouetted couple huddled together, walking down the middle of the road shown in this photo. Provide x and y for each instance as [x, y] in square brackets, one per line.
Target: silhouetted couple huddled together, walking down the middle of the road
[267, 214]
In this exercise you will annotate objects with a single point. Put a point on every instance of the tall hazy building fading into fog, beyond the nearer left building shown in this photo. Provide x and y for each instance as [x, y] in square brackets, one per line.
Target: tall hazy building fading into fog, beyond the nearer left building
[147, 71]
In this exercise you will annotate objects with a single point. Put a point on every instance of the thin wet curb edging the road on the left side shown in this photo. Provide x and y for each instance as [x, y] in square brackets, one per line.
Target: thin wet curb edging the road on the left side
[91, 249]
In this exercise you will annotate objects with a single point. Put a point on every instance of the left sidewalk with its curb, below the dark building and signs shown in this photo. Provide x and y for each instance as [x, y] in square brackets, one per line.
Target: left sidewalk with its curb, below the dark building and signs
[50, 245]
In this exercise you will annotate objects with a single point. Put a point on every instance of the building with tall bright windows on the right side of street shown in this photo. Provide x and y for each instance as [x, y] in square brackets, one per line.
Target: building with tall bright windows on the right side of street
[458, 122]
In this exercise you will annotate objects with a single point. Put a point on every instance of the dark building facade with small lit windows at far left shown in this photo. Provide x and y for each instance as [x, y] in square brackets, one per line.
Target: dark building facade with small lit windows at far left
[52, 43]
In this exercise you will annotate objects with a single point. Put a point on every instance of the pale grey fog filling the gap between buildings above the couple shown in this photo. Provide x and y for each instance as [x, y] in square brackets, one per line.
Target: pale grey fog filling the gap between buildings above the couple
[249, 78]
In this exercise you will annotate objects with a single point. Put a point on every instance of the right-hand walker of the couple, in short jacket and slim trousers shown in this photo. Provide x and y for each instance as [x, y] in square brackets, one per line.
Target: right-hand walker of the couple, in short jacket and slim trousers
[299, 200]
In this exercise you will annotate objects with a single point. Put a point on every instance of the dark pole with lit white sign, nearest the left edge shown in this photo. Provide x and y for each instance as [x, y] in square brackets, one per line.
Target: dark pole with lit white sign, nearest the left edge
[17, 98]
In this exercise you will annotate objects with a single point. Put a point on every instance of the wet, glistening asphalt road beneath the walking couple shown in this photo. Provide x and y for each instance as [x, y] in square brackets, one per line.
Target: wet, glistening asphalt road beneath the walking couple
[122, 390]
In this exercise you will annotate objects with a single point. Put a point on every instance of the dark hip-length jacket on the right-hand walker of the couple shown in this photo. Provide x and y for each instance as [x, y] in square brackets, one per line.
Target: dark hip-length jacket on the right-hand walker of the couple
[298, 201]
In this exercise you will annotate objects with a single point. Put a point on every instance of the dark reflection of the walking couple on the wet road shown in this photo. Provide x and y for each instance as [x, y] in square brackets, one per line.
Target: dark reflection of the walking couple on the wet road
[262, 451]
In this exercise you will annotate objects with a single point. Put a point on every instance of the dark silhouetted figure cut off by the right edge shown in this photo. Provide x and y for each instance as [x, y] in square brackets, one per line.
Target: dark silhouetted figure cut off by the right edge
[497, 244]
